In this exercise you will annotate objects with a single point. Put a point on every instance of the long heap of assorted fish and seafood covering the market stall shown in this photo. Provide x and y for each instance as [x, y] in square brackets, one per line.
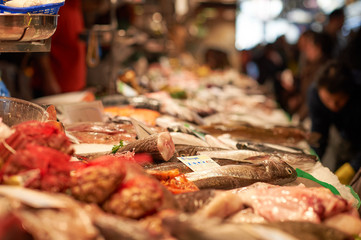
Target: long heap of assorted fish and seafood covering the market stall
[228, 170]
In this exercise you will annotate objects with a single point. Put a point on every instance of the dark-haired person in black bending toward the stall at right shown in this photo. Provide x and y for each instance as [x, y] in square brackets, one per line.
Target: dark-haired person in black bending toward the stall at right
[335, 100]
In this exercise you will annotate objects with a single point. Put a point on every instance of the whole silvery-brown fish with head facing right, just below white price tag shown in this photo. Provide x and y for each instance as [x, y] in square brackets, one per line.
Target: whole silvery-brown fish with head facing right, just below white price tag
[235, 176]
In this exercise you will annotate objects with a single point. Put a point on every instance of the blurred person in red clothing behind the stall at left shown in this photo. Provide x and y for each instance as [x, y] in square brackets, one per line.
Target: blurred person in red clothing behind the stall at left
[64, 68]
